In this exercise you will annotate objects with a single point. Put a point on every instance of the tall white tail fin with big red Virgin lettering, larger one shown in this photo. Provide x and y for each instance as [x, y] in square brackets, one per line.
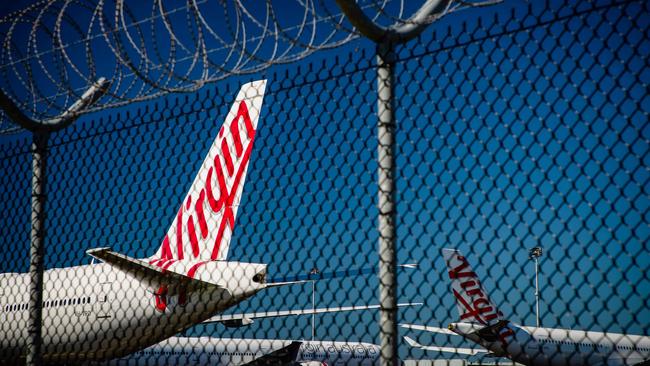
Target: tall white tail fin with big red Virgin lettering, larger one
[203, 226]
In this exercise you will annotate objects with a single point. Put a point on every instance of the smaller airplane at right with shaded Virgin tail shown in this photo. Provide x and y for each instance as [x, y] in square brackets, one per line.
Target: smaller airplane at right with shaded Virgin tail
[481, 322]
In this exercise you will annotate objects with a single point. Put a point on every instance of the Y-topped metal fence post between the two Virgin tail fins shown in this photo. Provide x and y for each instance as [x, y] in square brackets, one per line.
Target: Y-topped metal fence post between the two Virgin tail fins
[386, 38]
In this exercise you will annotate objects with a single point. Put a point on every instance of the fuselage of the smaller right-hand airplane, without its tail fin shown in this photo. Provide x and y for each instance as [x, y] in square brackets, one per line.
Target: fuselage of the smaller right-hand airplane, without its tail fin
[561, 347]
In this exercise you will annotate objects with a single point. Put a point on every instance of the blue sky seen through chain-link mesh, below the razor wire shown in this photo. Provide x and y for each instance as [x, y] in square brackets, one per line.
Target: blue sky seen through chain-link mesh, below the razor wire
[536, 134]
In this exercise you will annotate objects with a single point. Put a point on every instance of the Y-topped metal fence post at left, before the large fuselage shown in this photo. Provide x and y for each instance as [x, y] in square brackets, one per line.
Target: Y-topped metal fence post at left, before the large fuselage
[41, 130]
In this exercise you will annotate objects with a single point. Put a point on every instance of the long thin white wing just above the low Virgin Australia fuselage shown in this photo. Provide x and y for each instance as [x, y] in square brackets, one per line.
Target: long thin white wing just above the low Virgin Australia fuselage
[237, 320]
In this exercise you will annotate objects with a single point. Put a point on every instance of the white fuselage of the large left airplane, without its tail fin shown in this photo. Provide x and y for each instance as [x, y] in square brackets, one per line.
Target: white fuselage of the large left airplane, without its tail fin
[97, 311]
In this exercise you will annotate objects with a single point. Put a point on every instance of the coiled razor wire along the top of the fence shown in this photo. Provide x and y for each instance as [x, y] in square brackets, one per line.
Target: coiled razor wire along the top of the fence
[53, 50]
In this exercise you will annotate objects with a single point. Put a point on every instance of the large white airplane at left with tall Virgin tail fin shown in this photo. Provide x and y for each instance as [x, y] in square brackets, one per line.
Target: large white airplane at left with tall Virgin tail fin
[111, 309]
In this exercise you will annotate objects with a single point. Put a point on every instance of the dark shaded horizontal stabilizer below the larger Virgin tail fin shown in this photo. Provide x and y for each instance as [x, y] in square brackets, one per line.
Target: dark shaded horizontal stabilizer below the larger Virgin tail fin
[148, 273]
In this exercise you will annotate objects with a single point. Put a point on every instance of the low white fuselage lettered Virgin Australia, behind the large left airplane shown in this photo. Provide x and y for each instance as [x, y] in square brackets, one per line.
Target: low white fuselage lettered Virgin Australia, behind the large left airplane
[232, 351]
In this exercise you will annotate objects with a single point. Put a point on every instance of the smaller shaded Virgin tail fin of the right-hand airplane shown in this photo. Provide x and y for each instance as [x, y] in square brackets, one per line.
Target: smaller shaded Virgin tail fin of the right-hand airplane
[473, 302]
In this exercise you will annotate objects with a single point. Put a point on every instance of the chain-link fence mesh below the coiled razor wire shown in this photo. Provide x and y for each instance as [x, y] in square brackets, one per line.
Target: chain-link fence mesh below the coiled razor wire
[522, 148]
